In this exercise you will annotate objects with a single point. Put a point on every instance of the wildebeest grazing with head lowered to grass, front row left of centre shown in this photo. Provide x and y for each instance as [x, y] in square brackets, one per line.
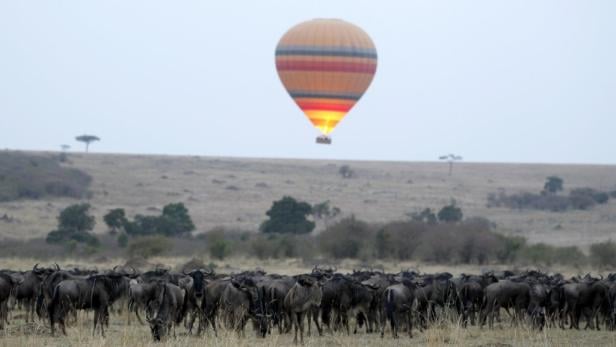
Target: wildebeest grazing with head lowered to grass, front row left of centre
[168, 306]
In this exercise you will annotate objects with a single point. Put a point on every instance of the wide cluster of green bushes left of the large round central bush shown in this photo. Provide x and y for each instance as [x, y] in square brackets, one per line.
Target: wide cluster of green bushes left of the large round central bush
[174, 221]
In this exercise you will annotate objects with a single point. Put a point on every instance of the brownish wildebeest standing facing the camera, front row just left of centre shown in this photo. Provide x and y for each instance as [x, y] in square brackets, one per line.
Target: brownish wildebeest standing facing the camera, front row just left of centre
[302, 299]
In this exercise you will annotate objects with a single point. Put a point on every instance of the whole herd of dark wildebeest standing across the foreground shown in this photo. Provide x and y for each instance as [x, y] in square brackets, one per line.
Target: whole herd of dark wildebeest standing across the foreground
[364, 299]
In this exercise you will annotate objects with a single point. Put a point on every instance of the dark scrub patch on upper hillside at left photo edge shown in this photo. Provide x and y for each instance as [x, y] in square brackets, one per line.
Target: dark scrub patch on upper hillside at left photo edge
[24, 176]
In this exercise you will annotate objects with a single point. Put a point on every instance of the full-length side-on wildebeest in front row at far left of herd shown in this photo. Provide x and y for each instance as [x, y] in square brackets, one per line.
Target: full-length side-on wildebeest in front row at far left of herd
[96, 292]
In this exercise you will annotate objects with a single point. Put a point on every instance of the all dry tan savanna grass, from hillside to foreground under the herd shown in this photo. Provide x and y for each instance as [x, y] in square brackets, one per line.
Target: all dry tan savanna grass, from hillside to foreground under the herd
[236, 192]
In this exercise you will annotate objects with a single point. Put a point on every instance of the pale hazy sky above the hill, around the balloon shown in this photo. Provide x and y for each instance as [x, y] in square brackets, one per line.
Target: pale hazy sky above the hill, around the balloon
[514, 81]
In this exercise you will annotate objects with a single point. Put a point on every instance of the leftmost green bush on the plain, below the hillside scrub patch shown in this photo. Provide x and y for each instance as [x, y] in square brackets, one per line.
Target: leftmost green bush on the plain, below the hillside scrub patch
[74, 224]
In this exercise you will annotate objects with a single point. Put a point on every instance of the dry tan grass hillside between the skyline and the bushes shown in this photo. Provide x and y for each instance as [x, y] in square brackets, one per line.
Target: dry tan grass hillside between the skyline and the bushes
[236, 192]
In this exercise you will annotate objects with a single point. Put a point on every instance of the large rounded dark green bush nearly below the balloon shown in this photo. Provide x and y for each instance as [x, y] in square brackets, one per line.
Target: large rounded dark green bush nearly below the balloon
[288, 216]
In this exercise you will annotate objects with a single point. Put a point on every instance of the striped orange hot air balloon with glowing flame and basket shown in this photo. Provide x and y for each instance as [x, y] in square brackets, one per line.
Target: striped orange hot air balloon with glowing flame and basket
[326, 65]
